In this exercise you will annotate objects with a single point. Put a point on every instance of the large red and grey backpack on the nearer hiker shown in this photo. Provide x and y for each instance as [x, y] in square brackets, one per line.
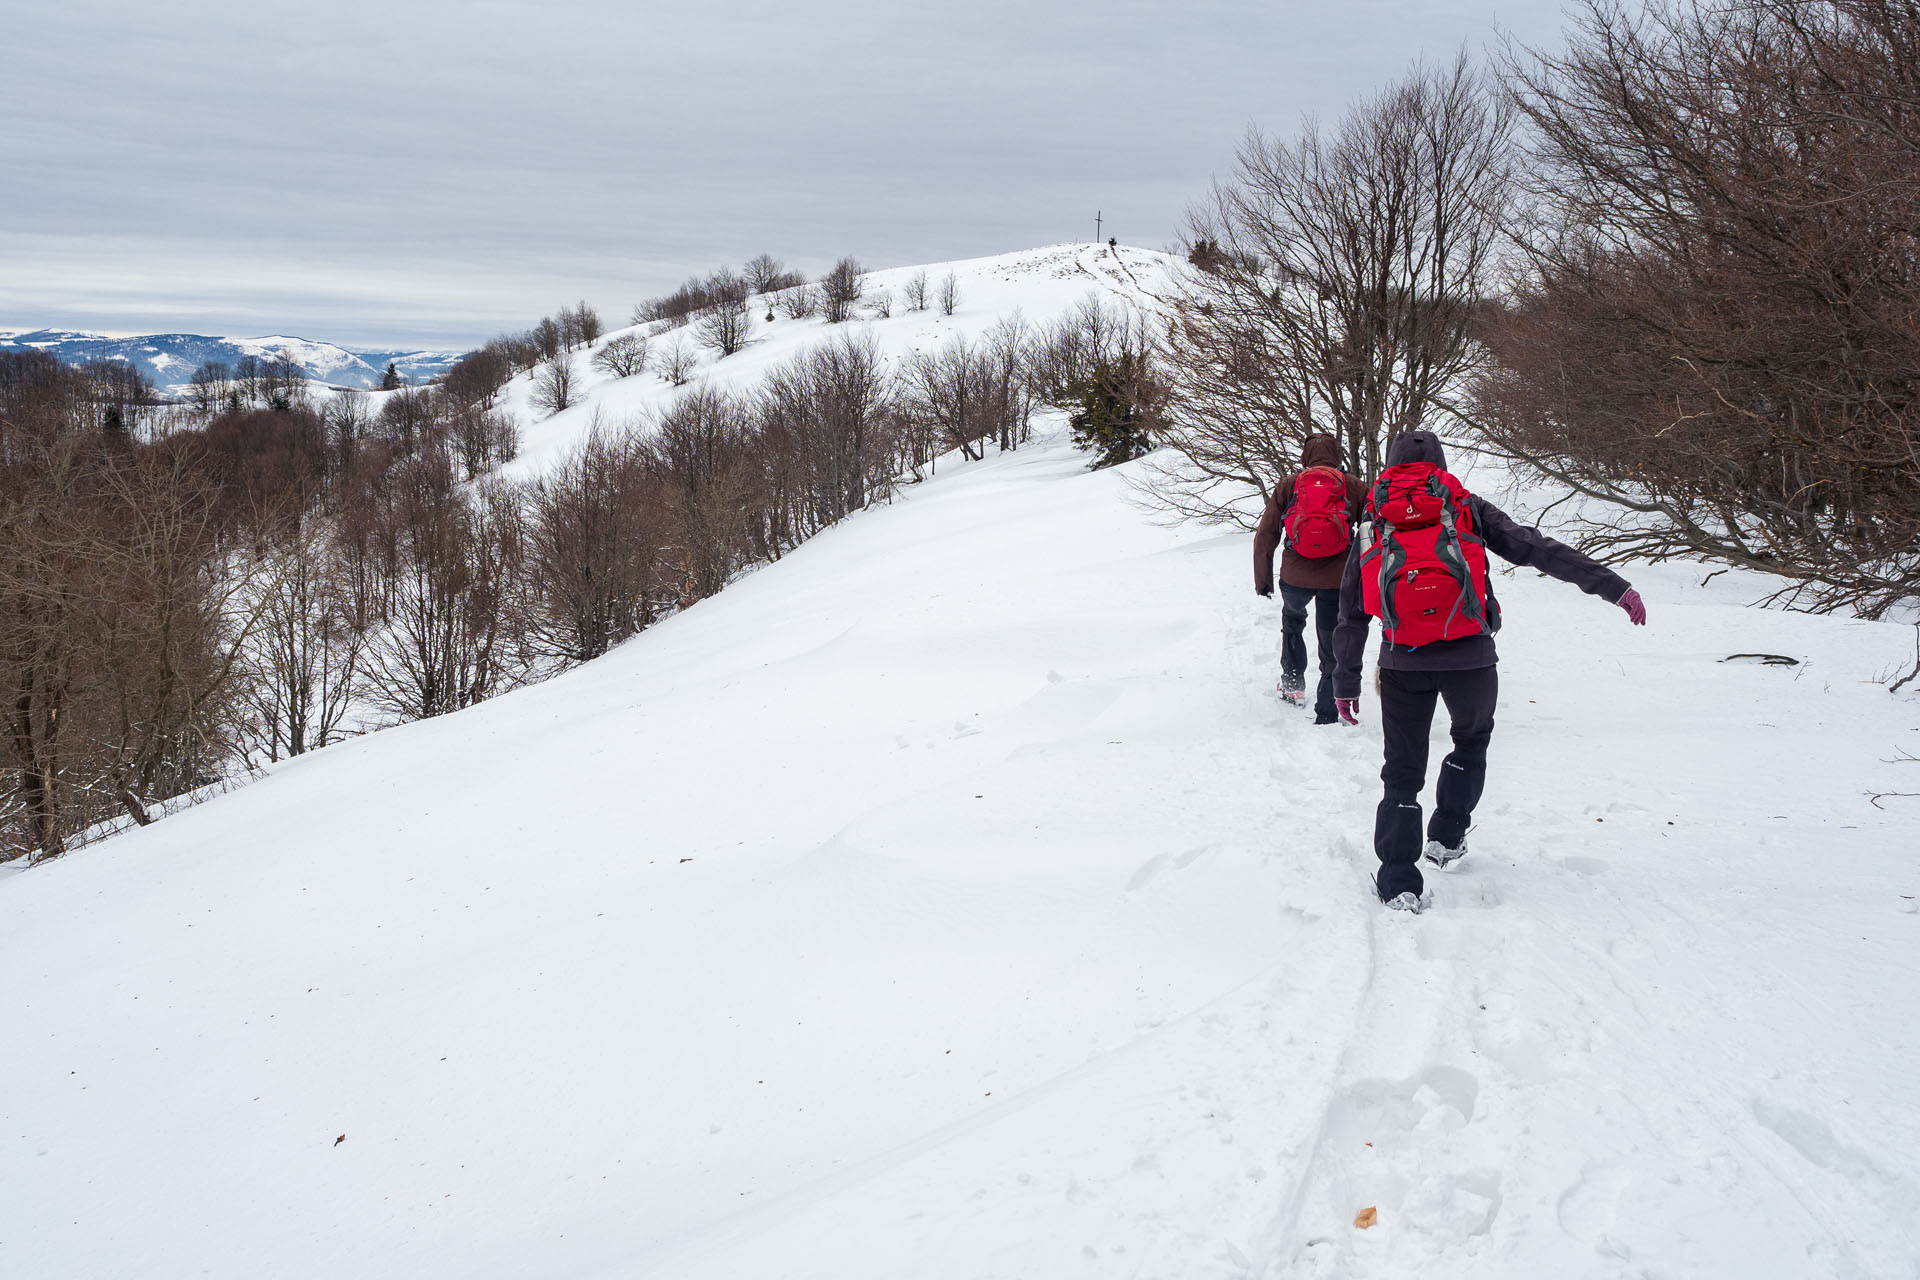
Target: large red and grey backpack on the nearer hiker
[1426, 575]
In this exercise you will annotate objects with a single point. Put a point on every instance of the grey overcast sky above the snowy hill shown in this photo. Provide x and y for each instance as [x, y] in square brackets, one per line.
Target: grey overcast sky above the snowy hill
[435, 172]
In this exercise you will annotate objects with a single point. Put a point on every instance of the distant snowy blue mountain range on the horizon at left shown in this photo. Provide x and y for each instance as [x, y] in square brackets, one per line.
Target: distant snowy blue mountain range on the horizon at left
[170, 360]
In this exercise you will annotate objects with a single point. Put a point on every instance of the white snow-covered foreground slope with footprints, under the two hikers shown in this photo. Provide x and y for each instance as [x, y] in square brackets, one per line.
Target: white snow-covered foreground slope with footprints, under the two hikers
[953, 901]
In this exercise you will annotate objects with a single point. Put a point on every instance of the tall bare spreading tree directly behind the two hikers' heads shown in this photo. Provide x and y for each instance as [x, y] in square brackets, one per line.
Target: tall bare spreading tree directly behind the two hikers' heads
[1343, 277]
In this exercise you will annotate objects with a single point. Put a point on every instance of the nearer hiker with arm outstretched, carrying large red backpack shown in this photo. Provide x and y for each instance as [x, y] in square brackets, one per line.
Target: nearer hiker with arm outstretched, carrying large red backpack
[1424, 575]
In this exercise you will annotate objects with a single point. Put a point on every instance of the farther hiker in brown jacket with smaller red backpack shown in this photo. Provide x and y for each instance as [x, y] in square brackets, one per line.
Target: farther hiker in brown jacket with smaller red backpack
[1314, 513]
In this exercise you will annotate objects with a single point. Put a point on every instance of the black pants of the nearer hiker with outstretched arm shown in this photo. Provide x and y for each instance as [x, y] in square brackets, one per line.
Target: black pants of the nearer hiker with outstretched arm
[1406, 717]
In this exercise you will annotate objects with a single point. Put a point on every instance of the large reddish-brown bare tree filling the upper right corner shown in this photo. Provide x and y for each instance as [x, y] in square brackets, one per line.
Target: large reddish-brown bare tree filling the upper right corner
[1717, 329]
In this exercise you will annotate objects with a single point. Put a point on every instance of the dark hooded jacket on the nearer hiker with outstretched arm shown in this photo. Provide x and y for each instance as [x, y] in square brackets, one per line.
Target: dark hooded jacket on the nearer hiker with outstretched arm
[1504, 538]
